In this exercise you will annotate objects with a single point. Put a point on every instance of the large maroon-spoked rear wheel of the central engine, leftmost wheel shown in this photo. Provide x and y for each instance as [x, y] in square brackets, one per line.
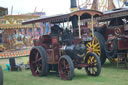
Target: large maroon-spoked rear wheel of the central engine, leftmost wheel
[38, 61]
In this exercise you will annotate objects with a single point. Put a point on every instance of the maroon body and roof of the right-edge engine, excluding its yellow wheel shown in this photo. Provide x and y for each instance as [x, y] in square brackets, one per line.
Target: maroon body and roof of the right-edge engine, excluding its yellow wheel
[116, 33]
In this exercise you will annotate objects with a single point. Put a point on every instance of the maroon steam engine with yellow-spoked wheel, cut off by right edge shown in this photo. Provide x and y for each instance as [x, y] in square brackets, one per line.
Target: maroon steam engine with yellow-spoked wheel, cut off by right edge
[111, 37]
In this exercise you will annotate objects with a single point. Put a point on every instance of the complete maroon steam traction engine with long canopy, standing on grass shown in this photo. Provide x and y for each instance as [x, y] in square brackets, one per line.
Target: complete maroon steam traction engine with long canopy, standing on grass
[64, 48]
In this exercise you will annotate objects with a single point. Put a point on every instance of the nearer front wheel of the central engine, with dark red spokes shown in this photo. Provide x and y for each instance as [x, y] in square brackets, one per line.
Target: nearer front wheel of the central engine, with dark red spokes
[66, 68]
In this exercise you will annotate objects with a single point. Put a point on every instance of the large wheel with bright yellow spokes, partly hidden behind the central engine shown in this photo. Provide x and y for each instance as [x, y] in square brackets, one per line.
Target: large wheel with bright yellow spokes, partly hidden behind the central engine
[97, 46]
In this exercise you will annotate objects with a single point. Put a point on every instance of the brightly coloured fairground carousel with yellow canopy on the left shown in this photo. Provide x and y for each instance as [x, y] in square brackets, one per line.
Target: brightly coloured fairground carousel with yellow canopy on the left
[16, 39]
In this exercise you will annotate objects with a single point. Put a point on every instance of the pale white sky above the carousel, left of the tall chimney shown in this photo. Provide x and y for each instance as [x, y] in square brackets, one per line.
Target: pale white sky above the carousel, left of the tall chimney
[50, 7]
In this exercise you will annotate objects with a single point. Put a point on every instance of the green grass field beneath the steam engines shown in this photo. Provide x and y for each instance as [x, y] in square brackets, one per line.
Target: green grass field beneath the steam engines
[110, 75]
